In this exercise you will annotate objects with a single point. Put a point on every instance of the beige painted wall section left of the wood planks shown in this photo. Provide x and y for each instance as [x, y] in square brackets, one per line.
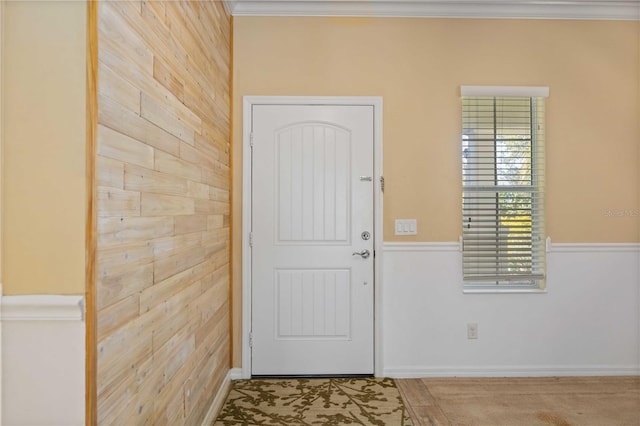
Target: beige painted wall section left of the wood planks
[44, 147]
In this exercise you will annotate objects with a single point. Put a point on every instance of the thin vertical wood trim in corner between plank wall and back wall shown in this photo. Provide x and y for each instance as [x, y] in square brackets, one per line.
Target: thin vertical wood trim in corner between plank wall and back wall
[231, 205]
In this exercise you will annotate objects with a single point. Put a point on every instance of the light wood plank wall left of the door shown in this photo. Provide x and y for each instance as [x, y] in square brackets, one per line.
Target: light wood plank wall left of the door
[163, 207]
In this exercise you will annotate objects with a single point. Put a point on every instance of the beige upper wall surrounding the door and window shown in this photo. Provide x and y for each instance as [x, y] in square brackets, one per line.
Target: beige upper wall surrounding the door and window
[418, 65]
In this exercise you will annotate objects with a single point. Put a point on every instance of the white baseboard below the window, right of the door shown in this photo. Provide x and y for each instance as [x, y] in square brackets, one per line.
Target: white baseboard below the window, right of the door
[515, 371]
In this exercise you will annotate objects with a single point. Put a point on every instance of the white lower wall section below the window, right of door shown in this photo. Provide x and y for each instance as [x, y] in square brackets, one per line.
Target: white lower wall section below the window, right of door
[586, 323]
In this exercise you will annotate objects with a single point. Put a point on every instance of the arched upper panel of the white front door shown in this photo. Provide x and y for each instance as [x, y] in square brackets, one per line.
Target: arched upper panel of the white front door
[313, 184]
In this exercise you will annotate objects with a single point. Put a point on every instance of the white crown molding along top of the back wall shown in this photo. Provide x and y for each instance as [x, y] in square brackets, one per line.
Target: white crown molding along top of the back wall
[502, 9]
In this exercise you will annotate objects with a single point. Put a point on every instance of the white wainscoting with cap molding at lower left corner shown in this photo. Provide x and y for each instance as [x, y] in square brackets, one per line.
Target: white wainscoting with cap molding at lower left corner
[43, 360]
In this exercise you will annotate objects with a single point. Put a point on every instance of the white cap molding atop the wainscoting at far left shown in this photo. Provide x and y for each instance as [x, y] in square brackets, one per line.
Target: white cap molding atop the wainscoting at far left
[42, 308]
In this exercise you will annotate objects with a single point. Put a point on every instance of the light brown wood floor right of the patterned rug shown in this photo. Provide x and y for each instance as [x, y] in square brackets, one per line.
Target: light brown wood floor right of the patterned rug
[558, 401]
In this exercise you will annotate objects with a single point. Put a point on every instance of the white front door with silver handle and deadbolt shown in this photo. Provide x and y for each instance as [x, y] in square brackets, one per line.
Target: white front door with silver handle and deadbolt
[312, 243]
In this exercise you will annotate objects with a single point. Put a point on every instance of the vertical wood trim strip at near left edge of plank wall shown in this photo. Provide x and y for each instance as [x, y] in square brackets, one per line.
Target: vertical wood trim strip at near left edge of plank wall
[91, 393]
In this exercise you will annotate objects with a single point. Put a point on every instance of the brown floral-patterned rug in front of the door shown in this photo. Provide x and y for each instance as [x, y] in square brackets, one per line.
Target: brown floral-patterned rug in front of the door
[339, 401]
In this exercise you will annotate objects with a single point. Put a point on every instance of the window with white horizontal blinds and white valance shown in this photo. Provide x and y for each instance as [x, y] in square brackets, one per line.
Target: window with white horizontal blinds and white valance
[503, 236]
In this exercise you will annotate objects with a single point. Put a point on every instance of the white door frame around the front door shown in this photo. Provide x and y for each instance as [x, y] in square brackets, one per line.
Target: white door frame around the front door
[247, 116]
